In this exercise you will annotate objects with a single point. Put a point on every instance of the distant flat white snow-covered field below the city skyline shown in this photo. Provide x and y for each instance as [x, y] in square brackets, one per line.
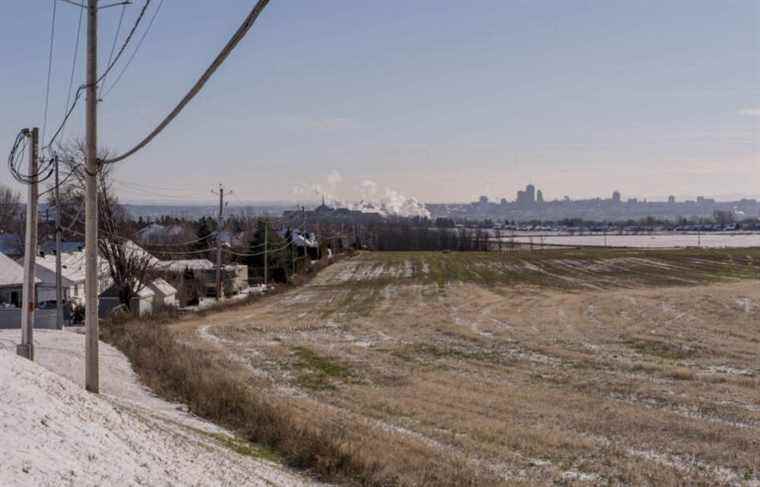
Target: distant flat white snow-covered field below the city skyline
[720, 240]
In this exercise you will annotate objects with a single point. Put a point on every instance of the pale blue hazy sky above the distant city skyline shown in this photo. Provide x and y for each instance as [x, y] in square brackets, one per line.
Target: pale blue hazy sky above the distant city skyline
[439, 99]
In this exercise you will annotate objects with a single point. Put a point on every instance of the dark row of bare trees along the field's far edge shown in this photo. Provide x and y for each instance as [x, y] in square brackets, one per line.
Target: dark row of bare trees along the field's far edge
[411, 237]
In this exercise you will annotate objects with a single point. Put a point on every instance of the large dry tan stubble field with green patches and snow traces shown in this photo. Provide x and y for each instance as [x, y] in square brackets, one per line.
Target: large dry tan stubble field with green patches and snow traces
[569, 366]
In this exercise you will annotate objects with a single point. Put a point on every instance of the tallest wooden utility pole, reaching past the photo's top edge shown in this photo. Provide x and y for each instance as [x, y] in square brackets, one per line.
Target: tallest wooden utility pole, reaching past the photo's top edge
[92, 371]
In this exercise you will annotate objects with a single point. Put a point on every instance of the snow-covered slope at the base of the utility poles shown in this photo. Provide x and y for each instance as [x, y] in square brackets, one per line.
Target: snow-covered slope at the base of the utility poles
[53, 433]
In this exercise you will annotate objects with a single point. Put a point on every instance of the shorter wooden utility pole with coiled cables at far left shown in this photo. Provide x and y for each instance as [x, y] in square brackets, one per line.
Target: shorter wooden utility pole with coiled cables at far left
[26, 349]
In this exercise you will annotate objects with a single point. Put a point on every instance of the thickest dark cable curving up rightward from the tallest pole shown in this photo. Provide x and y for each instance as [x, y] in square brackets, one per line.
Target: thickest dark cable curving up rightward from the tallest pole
[218, 61]
